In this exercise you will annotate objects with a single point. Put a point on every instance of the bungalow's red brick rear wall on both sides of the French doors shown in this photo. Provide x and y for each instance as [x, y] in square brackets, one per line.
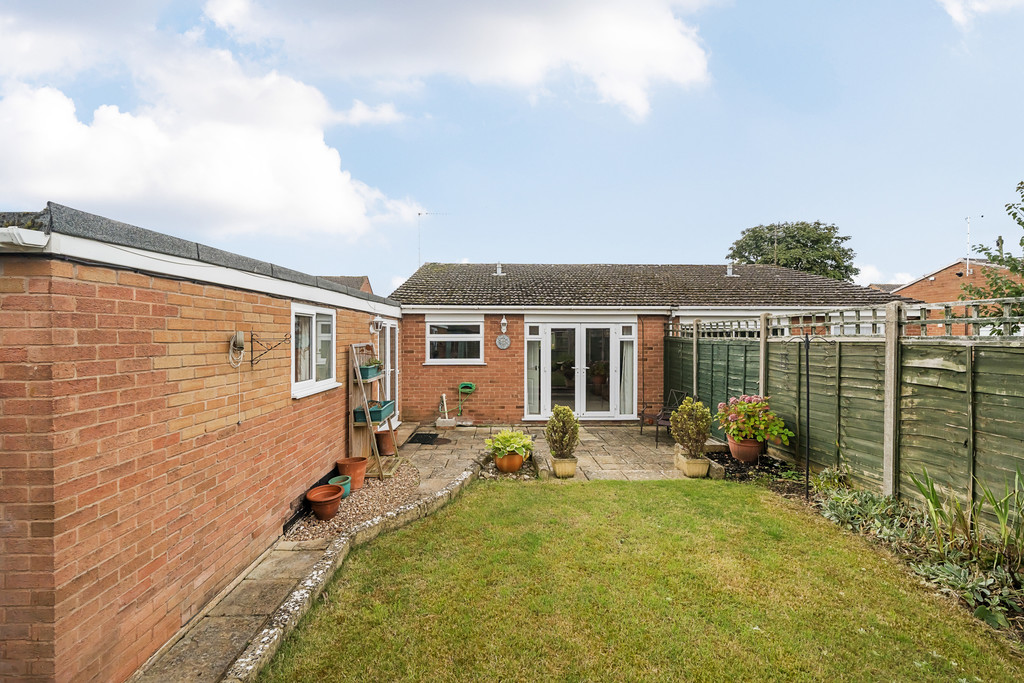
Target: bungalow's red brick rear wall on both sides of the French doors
[499, 396]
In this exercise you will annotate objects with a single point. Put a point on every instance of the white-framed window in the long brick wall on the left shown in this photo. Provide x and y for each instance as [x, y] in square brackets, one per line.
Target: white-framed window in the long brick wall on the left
[314, 351]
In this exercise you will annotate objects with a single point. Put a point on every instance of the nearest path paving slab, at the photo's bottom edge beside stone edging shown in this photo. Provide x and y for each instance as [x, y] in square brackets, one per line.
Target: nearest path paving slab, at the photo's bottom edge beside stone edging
[206, 653]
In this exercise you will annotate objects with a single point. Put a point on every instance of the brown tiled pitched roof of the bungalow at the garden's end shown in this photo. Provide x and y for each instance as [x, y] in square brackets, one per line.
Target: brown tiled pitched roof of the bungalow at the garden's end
[627, 285]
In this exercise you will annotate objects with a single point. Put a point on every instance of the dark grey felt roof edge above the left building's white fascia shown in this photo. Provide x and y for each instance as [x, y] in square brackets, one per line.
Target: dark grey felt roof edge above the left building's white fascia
[65, 221]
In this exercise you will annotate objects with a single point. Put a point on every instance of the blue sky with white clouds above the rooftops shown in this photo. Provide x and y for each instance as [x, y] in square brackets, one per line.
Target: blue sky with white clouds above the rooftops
[339, 138]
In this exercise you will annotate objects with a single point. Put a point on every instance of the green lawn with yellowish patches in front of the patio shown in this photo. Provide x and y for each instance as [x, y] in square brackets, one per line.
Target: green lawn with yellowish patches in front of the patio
[697, 581]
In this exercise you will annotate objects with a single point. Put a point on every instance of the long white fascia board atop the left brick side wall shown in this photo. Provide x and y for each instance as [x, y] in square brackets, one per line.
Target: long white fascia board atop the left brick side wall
[163, 265]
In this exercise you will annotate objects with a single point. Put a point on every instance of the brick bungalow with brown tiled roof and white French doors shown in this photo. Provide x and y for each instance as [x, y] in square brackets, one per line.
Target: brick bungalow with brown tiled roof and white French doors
[532, 336]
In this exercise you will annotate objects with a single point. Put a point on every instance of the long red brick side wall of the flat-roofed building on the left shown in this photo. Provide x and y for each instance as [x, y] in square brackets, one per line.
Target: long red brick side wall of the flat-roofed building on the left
[131, 496]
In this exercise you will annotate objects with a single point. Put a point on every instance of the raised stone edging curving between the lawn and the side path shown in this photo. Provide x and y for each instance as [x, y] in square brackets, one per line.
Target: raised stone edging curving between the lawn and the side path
[284, 620]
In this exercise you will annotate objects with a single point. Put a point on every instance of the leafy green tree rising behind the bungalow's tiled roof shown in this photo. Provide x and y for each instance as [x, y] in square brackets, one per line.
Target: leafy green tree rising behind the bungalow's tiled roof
[814, 248]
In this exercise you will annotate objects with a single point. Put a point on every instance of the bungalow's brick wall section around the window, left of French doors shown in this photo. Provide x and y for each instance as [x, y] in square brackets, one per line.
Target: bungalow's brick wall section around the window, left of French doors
[499, 395]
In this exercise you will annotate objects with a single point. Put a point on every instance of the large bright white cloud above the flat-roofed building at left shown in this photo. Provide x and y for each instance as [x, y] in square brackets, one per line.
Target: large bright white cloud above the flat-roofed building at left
[211, 149]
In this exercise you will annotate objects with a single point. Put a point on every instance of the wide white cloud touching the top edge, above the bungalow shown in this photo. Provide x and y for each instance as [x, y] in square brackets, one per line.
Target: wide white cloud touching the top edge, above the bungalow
[622, 50]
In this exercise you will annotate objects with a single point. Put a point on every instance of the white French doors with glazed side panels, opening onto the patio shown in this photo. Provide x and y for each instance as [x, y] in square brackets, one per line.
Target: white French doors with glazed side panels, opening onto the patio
[587, 367]
